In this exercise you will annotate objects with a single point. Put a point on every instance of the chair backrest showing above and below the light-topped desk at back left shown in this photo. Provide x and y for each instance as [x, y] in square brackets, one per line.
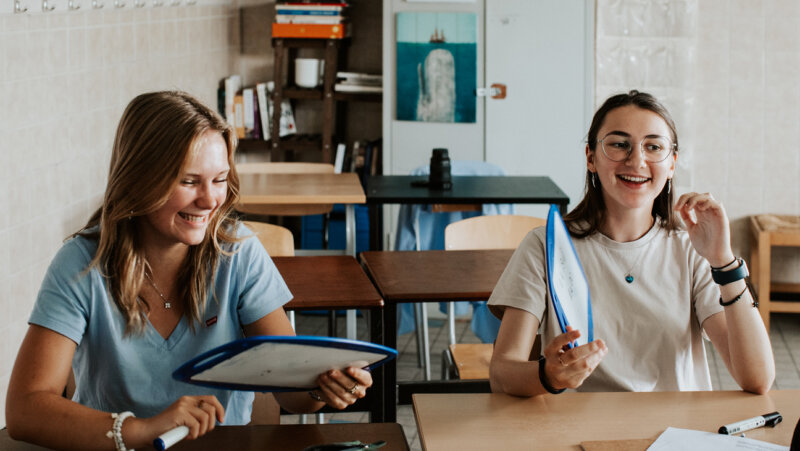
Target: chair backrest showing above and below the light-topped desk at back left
[285, 168]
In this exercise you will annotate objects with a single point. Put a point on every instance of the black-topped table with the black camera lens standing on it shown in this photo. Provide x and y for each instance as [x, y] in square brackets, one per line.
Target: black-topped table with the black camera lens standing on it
[467, 189]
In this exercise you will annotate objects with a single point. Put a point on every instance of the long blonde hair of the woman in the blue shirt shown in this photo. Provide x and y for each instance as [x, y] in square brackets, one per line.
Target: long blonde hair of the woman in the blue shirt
[156, 134]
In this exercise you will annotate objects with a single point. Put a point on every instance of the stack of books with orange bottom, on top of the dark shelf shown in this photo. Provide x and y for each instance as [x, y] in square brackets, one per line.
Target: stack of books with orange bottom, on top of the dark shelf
[321, 20]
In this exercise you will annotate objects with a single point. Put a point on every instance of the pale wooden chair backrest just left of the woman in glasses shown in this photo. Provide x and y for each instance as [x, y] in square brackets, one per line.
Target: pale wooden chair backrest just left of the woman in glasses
[489, 232]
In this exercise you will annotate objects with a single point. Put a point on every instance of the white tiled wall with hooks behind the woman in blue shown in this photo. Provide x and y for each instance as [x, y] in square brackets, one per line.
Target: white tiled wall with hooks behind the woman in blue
[65, 77]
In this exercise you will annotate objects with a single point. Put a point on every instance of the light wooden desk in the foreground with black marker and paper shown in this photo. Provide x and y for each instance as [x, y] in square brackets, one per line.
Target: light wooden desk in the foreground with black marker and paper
[562, 422]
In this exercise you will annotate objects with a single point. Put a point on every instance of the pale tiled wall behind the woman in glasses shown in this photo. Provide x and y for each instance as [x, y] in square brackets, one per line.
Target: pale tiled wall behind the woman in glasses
[728, 72]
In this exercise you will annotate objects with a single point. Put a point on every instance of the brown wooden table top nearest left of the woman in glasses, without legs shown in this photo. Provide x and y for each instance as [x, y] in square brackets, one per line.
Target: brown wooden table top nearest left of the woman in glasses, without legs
[406, 276]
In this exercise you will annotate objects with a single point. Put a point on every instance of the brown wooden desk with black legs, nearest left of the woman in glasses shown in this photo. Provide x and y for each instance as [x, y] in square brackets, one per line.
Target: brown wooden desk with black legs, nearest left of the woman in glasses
[429, 276]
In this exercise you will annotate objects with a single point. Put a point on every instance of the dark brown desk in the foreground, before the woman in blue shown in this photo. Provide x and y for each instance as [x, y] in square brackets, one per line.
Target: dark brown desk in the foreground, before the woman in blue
[286, 437]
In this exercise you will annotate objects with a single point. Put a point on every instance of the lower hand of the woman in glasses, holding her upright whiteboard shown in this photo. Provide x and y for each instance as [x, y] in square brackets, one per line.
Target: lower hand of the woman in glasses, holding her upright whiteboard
[568, 368]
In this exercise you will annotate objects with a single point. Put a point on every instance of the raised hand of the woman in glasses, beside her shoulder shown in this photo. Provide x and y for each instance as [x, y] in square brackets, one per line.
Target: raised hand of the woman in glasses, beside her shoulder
[709, 229]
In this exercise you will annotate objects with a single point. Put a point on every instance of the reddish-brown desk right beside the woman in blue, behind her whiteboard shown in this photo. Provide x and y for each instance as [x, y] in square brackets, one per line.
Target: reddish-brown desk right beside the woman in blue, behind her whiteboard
[334, 283]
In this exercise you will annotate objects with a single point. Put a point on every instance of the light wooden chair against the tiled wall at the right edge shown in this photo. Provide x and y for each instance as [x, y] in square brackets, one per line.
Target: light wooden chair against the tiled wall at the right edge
[769, 231]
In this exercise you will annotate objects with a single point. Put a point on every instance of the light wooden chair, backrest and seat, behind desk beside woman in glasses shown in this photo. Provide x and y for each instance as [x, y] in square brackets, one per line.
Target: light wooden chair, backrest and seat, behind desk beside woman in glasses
[471, 361]
